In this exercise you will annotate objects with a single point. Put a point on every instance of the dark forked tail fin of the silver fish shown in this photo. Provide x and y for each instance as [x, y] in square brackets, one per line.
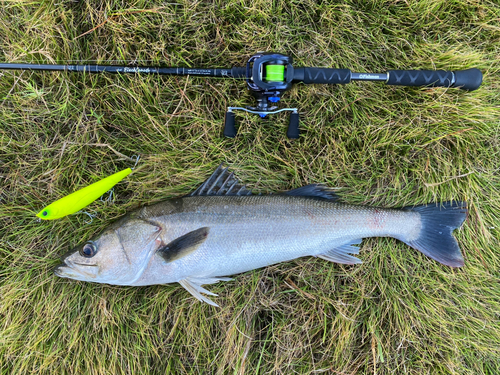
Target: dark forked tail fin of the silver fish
[436, 239]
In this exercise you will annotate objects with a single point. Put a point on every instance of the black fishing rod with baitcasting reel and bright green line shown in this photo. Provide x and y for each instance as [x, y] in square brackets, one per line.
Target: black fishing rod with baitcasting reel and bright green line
[268, 75]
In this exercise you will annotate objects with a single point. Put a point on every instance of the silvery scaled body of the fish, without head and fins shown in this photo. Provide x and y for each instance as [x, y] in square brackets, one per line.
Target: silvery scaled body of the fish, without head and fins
[255, 231]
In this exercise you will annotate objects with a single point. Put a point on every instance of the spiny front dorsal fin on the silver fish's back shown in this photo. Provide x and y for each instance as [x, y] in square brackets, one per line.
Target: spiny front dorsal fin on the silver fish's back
[221, 182]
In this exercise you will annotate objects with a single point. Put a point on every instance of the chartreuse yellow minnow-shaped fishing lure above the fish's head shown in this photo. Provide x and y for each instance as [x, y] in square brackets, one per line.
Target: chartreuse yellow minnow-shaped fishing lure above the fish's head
[81, 198]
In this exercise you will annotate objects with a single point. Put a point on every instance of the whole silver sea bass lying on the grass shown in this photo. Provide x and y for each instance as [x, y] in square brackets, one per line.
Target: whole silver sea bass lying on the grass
[221, 229]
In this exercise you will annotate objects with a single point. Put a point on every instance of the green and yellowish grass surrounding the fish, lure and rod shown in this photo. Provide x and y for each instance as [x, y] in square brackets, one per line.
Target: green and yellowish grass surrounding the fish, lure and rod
[398, 312]
